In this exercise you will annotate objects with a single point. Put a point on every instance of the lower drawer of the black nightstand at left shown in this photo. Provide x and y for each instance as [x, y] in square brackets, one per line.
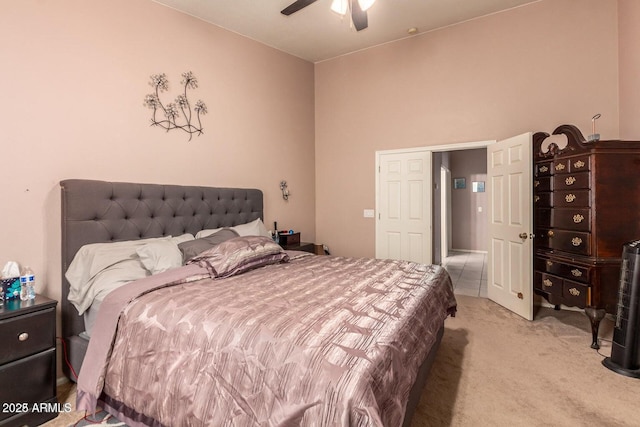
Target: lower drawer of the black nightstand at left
[29, 380]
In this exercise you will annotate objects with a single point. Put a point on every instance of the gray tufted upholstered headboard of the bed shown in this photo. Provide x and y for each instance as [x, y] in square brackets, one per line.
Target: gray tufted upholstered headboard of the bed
[100, 212]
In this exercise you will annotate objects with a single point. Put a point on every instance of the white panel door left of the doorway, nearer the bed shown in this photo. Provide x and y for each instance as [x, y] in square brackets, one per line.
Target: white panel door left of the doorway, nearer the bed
[403, 227]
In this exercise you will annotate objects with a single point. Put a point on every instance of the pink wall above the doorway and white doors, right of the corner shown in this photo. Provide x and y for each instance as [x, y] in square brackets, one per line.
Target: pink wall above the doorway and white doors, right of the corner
[527, 69]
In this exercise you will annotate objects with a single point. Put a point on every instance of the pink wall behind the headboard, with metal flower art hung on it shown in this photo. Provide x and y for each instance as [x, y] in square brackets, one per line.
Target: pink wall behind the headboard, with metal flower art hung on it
[74, 76]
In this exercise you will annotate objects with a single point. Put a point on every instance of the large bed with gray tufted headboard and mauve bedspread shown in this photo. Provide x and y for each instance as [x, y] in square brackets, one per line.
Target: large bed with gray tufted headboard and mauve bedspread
[245, 333]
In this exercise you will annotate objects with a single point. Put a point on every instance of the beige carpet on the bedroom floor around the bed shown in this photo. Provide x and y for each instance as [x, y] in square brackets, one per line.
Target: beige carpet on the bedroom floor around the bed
[497, 369]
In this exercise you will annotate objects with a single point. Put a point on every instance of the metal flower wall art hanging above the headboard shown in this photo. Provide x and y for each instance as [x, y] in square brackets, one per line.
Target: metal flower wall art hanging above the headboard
[179, 114]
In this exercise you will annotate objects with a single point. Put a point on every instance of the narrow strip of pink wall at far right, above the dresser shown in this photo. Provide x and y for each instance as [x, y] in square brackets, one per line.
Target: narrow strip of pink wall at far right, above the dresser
[629, 51]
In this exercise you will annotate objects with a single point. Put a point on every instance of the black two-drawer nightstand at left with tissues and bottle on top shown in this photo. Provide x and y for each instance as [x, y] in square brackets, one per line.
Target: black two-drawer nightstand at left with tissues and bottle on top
[28, 362]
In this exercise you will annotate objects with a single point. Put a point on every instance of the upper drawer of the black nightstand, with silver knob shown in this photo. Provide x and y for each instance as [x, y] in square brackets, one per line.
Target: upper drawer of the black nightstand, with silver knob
[27, 334]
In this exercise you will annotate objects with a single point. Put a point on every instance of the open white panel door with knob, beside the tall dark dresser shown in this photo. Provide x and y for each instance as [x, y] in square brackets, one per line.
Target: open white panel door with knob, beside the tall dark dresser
[510, 194]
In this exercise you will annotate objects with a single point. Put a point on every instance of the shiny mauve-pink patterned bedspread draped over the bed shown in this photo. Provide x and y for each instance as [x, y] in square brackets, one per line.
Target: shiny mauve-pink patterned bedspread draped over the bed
[317, 341]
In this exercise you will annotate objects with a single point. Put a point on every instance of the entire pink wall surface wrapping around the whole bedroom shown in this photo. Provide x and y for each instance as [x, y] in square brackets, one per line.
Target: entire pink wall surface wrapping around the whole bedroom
[75, 74]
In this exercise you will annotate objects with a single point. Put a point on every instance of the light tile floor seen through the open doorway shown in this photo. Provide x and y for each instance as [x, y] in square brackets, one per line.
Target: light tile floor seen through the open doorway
[468, 271]
